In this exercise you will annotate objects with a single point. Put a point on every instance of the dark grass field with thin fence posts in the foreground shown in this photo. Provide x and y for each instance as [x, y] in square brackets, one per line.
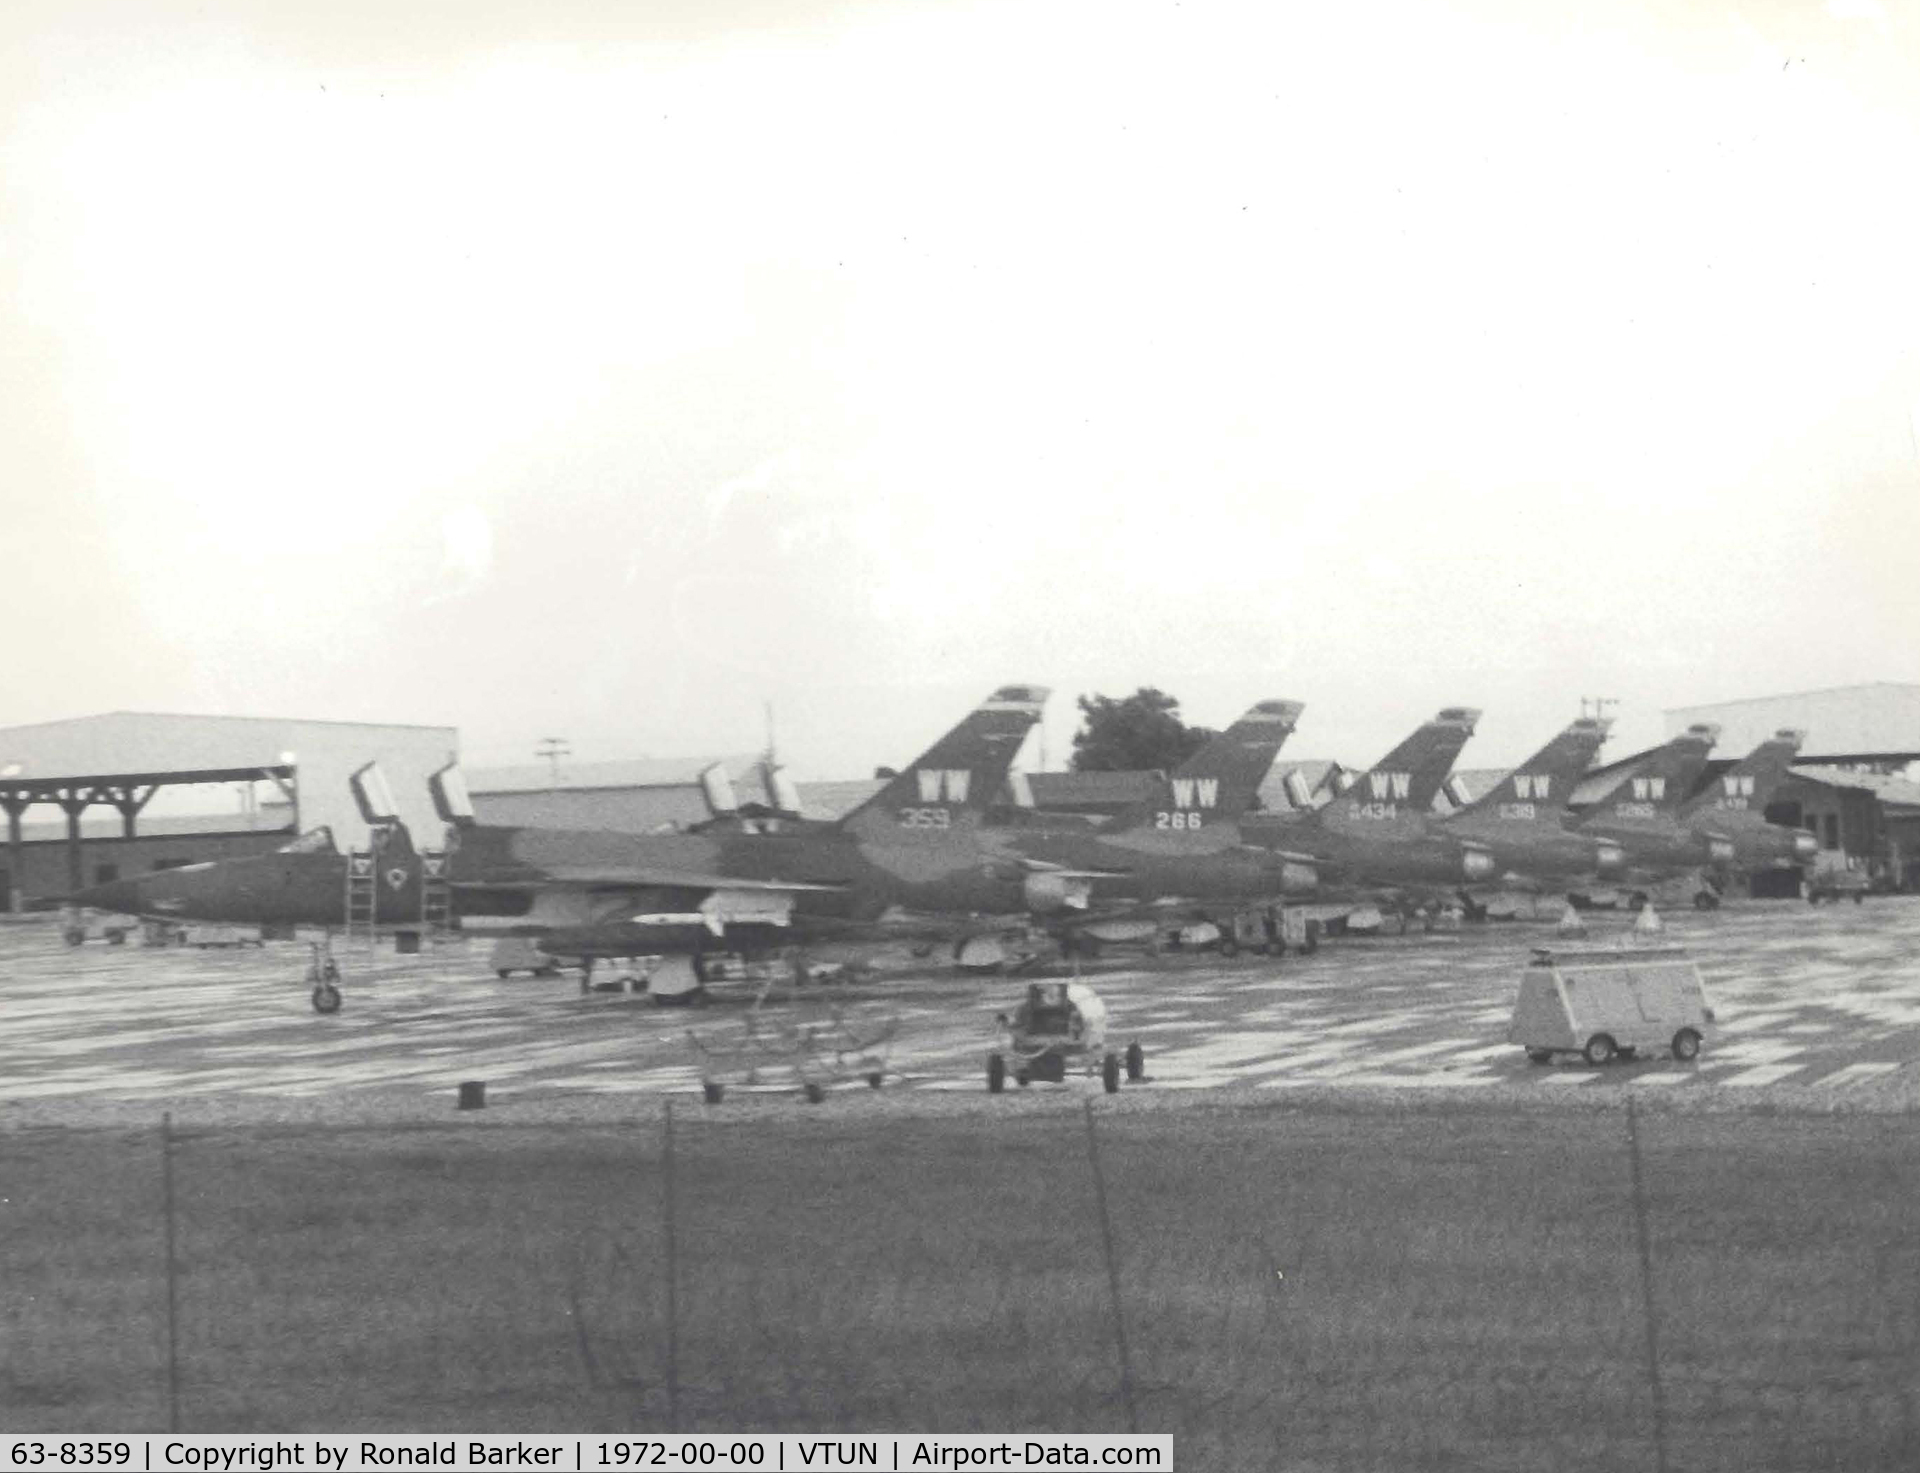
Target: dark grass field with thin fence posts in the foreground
[1397, 1286]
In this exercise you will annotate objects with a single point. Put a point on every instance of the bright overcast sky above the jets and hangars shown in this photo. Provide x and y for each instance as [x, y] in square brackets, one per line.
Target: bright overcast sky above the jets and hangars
[612, 370]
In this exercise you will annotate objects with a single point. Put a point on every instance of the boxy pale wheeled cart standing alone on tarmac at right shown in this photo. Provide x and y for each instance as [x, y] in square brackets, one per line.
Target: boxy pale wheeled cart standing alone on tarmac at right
[1612, 1003]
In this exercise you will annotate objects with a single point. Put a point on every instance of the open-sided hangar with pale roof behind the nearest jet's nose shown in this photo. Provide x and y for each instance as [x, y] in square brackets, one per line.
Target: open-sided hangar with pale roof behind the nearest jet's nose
[124, 760]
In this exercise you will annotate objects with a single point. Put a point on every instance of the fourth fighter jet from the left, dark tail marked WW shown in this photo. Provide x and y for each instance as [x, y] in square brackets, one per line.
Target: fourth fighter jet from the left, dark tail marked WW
[1524, 819]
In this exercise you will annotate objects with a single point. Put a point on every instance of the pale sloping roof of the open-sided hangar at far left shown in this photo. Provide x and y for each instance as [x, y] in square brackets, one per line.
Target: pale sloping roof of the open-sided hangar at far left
[133, 744]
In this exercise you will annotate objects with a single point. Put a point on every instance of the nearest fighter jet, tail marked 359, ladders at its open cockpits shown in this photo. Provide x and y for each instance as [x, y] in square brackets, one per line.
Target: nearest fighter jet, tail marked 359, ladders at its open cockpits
[911, 848]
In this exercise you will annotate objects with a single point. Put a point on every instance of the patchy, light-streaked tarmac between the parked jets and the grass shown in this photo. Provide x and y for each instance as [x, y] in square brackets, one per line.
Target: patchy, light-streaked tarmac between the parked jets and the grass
[1821, 998]
